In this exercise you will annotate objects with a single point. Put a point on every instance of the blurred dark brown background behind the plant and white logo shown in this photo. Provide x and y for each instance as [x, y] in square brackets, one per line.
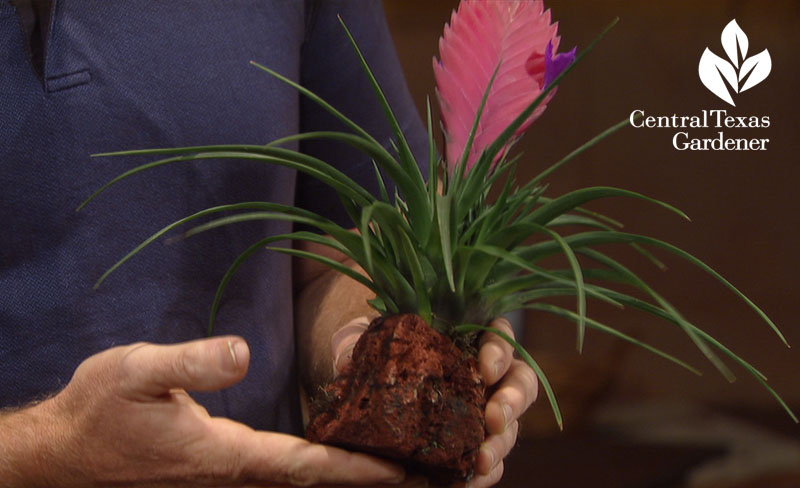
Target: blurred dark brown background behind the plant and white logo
[631, 418]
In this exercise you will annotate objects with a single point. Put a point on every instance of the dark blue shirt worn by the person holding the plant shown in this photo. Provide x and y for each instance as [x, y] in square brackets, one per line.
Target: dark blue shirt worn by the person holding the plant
[141, 74]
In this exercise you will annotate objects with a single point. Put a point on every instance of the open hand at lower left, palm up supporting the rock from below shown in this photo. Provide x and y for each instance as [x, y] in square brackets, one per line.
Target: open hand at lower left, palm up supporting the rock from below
[125, 418]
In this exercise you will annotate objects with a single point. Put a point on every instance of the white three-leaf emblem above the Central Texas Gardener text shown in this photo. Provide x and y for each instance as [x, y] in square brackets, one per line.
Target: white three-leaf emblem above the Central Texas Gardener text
[715, 71]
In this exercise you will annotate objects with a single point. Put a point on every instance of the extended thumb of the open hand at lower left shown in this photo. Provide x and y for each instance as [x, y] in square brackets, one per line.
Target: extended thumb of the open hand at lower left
[152, 370]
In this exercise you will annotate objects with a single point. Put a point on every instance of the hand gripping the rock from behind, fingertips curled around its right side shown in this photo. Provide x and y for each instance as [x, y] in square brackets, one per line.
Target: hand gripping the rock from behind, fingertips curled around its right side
[517, 389]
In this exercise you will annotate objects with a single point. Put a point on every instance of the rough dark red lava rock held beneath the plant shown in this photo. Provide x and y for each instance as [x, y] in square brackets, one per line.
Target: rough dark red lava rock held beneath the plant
[411, 395]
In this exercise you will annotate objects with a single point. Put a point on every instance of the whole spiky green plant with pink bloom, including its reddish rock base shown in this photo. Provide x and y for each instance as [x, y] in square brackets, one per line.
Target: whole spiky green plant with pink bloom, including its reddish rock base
[441, 257]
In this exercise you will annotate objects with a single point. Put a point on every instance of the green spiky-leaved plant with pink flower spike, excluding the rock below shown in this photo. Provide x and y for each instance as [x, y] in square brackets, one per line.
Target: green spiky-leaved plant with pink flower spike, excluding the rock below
[439, 246]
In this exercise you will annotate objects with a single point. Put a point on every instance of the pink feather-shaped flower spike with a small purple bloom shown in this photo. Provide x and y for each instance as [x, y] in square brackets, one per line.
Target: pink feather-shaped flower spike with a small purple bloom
[516, 36]
